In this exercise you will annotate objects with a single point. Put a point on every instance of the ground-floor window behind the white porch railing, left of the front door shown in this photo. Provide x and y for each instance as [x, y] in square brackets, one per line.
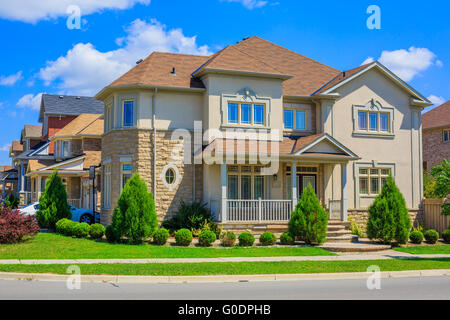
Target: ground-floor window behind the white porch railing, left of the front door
[245, 182]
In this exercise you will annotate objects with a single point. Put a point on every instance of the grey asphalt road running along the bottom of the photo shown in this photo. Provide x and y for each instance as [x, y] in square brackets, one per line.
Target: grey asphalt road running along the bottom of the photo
[391, 288]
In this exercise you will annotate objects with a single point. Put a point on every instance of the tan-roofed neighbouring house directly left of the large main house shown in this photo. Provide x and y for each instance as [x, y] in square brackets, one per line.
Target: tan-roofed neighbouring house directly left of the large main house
[77, 148]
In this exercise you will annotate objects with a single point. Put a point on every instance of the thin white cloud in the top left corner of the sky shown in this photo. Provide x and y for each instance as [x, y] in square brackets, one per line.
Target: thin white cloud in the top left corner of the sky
[32, 11]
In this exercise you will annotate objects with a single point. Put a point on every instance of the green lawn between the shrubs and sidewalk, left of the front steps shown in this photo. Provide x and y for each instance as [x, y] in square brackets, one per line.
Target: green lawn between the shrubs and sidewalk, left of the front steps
[54, 246]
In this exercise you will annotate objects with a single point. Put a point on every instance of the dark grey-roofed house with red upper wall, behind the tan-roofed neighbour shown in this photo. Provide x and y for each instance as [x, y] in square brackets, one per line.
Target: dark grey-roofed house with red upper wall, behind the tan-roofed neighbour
[55, 113]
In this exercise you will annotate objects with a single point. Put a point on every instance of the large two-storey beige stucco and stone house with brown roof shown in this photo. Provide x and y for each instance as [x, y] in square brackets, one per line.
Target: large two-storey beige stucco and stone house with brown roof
[341, 132]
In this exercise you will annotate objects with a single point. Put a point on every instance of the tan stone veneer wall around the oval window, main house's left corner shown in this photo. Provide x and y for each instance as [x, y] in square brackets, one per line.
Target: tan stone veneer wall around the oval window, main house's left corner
[138, 144]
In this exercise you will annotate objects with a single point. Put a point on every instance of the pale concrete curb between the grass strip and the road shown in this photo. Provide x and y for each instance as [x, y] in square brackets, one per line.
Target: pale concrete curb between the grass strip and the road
[221, 278]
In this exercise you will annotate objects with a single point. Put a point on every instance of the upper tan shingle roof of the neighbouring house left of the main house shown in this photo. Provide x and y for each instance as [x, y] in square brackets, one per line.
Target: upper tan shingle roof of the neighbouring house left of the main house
[84, 124]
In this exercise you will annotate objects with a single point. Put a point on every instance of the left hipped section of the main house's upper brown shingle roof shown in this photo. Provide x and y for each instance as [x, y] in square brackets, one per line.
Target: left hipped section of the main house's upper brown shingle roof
[156, 70]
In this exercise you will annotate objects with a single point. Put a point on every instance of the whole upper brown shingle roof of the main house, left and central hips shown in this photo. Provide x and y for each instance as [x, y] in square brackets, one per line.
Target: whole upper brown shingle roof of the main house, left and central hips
[253, 54]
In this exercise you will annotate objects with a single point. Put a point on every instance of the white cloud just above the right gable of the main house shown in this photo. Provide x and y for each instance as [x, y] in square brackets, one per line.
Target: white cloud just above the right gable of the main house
[408, 63]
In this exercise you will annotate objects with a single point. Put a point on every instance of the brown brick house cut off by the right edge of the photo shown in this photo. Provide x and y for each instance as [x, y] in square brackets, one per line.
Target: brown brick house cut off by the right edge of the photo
[436, 136]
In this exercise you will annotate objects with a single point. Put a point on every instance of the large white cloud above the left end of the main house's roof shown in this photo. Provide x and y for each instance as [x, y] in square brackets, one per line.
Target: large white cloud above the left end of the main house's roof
[84, 70]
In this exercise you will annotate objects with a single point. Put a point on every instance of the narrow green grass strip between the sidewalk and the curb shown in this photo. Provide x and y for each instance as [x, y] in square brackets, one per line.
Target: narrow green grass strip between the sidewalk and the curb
[236, 268]
